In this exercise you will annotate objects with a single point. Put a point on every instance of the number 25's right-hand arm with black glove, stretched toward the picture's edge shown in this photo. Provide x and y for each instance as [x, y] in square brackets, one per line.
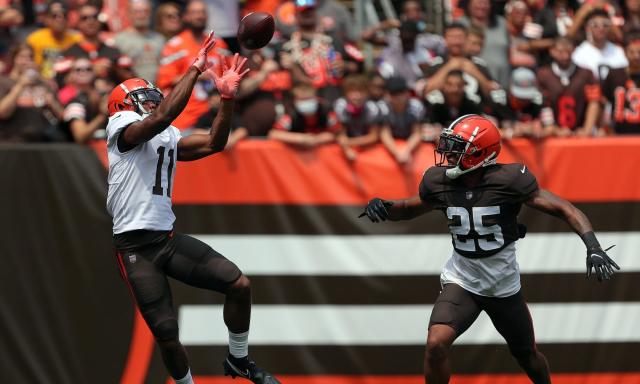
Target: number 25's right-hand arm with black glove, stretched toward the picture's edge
[597, 259]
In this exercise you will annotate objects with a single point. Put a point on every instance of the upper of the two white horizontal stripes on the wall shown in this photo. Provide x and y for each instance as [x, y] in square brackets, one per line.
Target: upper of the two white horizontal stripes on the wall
[404, 254]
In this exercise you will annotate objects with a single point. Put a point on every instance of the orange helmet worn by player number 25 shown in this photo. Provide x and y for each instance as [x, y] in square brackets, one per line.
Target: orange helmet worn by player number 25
[470, 142]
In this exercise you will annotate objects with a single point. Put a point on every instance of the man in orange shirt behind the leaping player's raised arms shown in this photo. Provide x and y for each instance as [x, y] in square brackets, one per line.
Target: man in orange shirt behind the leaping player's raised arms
[178, 54]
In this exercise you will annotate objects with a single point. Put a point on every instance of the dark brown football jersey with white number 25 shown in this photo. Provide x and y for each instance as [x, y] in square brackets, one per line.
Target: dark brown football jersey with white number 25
[482, 219]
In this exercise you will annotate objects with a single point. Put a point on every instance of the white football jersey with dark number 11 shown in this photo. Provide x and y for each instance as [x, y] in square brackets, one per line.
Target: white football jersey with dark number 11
[141, 179]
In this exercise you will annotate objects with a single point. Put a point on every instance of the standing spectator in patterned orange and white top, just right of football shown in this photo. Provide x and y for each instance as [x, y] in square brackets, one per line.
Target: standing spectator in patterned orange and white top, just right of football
[313, 57]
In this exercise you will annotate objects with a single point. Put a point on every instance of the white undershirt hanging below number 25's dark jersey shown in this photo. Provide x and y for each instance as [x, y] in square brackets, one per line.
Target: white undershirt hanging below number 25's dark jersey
[495, 276]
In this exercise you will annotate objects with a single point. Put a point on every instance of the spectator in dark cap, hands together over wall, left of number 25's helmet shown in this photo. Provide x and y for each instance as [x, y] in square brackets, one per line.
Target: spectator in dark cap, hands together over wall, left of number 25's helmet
[403, 120]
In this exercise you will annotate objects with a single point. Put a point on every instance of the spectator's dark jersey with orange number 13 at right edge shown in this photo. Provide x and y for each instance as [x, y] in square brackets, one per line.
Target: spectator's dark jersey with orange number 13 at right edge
[623, 93]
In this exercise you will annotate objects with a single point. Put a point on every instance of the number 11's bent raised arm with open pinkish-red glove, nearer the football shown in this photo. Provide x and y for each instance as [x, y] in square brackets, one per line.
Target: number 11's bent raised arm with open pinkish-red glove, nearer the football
[227, 79]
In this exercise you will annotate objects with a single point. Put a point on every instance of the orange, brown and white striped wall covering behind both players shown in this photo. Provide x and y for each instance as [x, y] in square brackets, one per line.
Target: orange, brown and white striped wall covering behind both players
[336, 299]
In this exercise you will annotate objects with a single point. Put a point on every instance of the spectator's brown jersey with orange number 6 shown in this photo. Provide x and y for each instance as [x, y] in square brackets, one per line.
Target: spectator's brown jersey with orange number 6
[568, 101]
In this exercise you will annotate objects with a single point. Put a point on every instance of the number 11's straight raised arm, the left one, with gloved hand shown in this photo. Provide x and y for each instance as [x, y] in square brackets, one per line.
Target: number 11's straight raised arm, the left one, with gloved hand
[144, 130]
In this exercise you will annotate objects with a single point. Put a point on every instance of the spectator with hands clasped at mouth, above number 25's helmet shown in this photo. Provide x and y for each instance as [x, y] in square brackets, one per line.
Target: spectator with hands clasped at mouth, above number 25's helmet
[479, 85]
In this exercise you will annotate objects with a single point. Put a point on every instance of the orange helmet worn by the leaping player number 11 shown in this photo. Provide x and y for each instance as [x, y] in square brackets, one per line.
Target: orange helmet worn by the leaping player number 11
[130, 95]
